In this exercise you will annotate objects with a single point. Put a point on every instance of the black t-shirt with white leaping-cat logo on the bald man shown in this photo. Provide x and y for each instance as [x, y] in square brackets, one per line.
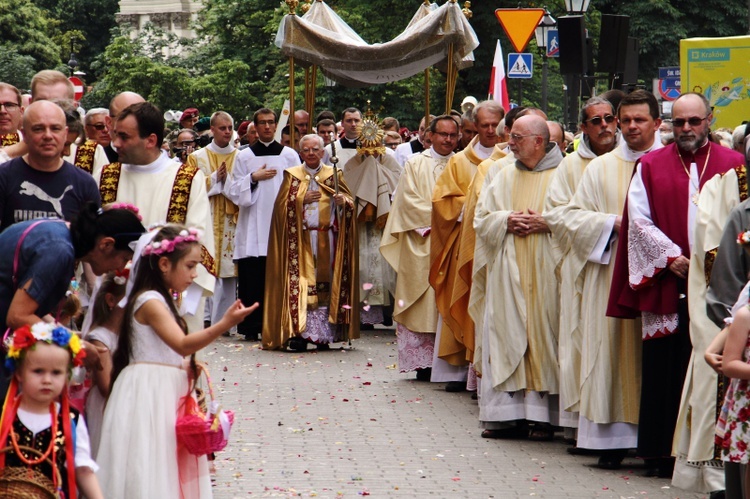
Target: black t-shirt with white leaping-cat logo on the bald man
[26, 193]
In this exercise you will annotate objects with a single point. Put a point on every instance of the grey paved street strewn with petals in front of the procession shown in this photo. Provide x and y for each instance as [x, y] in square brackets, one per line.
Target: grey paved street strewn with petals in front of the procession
[346, 423]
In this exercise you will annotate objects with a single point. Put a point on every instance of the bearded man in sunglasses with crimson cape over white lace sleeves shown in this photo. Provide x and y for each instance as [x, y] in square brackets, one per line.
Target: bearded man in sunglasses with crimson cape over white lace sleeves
[650, 277]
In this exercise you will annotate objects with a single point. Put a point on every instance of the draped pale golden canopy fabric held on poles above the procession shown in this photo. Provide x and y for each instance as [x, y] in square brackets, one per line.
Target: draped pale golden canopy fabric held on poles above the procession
[322, 38]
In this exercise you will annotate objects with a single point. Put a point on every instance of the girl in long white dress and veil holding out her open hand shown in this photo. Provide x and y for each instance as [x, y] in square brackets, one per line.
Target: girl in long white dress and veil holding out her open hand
[139, 454]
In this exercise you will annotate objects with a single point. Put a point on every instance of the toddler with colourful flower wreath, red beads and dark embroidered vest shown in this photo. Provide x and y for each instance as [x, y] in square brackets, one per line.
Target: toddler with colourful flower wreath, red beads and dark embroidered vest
[40, 417]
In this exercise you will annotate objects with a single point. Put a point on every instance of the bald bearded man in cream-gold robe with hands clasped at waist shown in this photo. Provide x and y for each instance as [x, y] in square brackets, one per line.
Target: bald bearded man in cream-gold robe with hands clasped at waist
[515, 255]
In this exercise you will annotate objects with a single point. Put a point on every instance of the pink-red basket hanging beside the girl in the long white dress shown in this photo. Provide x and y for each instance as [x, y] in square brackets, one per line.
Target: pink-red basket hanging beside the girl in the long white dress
[198, 431]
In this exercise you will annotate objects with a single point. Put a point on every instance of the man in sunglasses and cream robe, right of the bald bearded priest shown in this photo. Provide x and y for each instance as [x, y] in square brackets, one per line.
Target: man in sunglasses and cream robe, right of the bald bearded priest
[600, 136]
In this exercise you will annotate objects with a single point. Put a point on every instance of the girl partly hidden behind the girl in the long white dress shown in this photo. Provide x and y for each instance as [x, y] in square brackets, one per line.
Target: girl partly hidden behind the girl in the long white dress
[105, 326]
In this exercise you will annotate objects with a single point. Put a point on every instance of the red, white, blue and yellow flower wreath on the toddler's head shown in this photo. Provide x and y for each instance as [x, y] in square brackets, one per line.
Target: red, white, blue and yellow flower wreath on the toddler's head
[26, 337]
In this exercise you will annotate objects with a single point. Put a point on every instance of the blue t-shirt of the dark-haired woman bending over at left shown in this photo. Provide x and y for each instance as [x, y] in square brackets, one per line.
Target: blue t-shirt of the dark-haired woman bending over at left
[46, 257]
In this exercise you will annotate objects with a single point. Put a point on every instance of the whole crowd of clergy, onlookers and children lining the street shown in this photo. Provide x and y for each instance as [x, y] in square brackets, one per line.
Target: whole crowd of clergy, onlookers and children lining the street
[575, 283]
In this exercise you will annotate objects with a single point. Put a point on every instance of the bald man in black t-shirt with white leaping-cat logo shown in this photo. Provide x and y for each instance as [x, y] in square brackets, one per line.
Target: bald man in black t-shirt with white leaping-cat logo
[41, 183]
